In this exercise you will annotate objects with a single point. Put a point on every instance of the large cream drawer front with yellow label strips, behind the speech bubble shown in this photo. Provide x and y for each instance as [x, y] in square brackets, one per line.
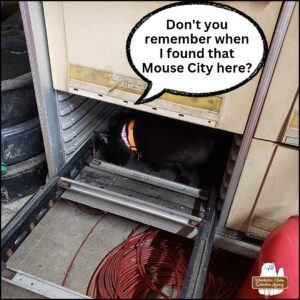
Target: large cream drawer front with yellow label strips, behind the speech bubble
[87, 51]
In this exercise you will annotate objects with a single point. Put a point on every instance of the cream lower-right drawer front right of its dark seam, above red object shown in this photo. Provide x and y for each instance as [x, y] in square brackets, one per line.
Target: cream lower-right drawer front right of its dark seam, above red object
[278, 198]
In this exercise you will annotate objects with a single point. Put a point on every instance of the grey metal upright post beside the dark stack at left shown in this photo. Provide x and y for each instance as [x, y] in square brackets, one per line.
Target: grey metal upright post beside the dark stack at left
[36, 40]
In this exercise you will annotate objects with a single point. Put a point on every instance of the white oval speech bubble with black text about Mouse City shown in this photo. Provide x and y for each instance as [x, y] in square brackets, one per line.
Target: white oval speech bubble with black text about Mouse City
[195, 49]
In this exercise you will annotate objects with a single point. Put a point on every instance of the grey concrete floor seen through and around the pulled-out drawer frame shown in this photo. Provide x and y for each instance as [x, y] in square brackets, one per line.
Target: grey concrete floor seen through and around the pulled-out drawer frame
[48, 250]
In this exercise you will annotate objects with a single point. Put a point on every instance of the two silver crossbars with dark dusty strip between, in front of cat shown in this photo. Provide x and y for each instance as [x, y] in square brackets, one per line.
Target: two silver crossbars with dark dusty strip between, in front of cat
[138, 196]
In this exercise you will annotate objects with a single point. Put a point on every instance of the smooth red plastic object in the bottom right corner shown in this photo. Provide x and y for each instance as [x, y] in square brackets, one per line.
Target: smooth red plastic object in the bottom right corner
[282, 248]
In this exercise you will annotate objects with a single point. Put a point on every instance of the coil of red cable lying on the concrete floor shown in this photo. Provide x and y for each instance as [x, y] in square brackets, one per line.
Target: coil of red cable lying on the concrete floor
[144, 263]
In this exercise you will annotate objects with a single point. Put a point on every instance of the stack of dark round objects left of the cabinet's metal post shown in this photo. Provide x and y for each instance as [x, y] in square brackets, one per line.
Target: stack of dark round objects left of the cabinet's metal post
[23, 164]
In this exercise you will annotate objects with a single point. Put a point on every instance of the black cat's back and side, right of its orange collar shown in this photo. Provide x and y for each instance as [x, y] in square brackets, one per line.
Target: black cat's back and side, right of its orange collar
[165, 139]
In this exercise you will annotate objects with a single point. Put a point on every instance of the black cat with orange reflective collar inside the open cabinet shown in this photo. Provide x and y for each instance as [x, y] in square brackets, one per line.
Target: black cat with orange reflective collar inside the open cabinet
[165, 142]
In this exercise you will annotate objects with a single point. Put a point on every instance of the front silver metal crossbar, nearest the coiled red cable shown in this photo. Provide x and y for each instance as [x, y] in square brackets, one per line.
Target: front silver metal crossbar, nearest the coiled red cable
[129, 207]
